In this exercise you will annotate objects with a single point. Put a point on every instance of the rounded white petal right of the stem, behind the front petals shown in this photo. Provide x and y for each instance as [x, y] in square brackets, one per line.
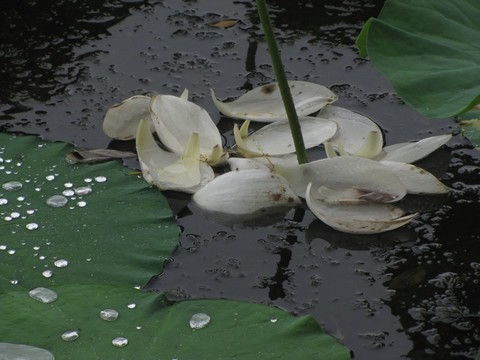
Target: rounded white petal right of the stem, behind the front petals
[353, 131]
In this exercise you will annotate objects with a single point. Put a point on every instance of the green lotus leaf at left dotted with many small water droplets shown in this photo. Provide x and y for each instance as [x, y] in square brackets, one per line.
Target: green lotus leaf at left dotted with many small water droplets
[120, 232]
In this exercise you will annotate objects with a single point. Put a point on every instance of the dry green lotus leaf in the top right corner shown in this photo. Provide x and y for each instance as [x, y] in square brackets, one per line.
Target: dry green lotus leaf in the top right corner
[429, 51]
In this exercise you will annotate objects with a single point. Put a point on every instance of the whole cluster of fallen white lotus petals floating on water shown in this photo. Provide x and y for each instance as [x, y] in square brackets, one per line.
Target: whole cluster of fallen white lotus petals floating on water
[350, 190]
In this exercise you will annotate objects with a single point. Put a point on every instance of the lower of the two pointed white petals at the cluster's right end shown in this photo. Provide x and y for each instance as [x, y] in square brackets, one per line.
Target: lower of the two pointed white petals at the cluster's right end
[417, 180]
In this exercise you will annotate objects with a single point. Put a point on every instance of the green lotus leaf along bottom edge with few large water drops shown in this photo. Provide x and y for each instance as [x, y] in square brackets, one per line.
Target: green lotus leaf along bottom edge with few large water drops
[158, 330]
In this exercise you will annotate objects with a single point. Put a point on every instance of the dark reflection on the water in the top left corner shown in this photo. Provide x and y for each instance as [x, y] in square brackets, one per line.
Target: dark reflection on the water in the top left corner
[38, 40]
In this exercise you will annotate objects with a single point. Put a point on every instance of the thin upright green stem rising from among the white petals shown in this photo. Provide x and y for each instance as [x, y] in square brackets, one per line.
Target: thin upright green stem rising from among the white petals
[282, 82]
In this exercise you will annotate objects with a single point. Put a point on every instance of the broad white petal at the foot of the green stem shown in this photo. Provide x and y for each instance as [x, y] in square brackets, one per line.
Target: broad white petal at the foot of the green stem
[342, 173]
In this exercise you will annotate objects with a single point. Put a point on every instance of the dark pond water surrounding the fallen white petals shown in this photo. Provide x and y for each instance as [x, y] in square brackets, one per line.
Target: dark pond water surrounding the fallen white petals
[407, 294]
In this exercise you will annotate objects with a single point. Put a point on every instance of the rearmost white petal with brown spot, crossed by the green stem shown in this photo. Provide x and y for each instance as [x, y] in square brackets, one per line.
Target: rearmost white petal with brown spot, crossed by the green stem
[265, 103]
